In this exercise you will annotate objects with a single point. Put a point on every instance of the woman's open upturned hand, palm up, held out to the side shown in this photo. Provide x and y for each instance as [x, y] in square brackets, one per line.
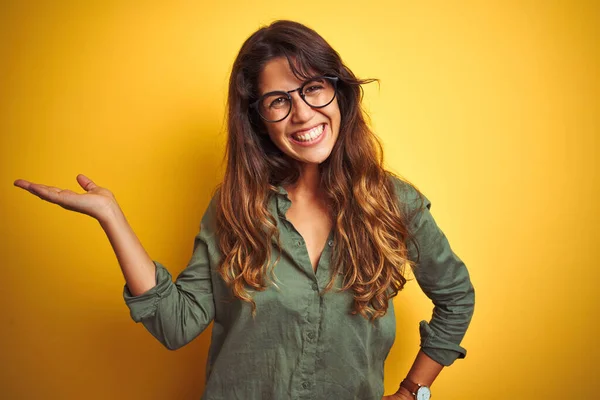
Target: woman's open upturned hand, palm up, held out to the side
[96, 202]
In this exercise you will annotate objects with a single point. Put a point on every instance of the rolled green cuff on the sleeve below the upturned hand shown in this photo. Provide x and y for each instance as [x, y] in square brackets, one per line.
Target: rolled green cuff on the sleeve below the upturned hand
[146, 304]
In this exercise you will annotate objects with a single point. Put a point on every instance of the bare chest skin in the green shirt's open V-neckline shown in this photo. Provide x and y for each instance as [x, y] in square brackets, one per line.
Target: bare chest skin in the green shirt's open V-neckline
[313, 223]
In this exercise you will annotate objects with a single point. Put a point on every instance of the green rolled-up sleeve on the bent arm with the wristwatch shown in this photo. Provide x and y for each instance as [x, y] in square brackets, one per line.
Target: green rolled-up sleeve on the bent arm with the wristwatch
[443, 277]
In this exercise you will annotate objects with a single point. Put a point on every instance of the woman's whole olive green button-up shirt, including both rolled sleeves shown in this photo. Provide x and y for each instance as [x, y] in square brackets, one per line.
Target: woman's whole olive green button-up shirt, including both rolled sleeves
[302, 345]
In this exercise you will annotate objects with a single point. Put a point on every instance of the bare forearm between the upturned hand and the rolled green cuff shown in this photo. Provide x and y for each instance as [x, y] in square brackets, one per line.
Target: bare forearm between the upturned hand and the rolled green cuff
[136, 265]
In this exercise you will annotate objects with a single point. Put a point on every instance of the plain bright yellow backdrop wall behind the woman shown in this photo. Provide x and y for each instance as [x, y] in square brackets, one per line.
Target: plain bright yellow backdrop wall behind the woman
[490, 107]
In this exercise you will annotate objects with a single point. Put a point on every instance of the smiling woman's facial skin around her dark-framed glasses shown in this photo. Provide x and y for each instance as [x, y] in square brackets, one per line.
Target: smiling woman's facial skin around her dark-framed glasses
[307, 134]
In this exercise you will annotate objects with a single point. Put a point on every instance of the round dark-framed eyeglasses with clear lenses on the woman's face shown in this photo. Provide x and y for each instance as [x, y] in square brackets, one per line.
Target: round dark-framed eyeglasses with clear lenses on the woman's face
[317, 92]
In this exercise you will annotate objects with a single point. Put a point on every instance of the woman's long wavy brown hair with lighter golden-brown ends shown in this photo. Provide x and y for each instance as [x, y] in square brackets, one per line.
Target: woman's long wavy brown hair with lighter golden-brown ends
[370, 231]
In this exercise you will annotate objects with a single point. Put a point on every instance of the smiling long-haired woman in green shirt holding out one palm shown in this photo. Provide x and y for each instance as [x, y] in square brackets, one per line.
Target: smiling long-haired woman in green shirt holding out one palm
[303, 245]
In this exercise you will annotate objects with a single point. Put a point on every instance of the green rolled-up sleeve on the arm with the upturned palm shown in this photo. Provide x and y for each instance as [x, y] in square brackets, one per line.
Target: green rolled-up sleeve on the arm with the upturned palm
[177, 312]
